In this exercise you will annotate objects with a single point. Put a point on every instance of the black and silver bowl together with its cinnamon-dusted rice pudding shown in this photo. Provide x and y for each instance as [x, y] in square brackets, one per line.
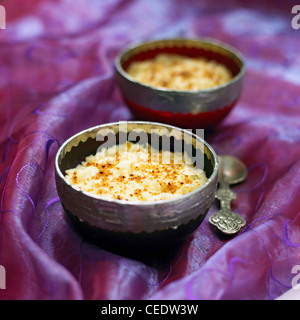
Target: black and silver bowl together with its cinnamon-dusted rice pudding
[136, 186]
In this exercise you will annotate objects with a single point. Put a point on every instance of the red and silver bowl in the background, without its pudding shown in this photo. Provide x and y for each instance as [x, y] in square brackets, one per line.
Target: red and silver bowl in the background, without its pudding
[190, 108]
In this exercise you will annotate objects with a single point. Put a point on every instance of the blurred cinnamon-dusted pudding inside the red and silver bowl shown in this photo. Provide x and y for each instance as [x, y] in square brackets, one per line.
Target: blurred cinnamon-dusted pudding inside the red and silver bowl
[172, 71]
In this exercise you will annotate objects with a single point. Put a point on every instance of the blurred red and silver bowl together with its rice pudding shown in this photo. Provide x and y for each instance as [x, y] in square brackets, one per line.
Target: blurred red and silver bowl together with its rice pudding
[190, 83]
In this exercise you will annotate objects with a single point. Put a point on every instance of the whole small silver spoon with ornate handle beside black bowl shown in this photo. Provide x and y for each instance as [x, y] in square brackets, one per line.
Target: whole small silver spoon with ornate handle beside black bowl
[231, 171]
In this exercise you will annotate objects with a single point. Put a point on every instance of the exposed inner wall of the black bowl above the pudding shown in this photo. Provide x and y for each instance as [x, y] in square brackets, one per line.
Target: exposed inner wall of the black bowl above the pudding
[89, 141]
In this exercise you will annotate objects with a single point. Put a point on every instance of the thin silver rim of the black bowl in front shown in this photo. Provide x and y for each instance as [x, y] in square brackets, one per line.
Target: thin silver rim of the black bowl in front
[136, 202]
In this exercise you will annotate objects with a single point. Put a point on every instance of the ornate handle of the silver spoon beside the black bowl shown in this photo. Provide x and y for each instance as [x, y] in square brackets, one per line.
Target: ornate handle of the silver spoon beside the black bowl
[225, 220]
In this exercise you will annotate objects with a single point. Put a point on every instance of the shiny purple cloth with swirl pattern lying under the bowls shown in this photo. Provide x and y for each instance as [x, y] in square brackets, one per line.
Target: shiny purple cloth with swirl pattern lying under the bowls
[56, 78]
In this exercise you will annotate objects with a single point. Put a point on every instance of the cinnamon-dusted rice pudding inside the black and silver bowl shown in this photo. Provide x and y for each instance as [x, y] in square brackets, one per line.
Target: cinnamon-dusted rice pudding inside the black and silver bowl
[134, 172]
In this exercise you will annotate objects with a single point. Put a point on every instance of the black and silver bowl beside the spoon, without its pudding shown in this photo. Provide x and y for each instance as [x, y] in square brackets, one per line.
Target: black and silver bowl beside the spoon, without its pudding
[128, 226]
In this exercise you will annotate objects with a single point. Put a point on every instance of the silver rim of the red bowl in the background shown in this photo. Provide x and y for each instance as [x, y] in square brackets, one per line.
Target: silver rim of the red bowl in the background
[205, 40]
